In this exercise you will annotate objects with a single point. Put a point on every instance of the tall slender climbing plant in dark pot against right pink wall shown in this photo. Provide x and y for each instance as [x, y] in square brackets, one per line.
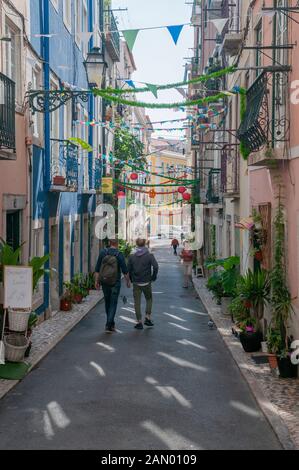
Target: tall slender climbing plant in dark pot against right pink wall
[281, 301]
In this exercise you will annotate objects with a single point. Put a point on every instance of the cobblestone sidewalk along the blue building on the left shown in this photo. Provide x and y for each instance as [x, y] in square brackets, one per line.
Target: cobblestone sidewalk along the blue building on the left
[46, 335]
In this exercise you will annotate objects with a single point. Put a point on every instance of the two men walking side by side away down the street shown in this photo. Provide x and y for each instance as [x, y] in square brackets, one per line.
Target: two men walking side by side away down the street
[142, 270]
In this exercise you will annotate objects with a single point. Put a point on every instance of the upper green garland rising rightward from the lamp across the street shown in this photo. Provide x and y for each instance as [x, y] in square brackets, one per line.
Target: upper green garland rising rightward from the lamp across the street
[202, 78]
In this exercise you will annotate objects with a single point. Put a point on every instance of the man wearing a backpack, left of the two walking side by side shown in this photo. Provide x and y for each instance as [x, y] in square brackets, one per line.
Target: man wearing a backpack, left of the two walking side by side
[111, 263]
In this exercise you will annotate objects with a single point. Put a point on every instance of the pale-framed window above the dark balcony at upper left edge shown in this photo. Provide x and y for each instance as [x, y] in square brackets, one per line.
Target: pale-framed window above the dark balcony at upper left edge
[13, 56]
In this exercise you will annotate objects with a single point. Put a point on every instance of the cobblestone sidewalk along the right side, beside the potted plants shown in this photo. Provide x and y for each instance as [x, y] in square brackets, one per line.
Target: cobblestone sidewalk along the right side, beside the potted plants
[278, 398]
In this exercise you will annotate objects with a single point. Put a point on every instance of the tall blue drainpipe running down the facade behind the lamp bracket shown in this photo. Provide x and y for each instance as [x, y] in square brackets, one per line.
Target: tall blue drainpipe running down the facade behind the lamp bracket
[47, 174]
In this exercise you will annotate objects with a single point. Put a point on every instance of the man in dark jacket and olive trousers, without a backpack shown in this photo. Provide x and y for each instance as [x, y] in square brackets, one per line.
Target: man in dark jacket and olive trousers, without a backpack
[143, 270]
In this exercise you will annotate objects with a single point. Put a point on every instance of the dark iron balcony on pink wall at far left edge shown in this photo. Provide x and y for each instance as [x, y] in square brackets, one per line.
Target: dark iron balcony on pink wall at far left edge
[7, 119]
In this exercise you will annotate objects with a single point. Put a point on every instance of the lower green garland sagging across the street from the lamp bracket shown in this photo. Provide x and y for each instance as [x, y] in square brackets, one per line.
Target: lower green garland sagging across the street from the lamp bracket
[140, 104]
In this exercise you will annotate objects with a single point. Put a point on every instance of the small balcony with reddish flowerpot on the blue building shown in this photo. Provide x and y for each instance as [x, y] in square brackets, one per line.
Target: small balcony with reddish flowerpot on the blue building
[64, 166]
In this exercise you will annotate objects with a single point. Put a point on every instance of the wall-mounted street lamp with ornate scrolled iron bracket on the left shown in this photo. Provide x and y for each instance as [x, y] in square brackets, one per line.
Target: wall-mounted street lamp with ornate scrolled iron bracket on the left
[47, 101]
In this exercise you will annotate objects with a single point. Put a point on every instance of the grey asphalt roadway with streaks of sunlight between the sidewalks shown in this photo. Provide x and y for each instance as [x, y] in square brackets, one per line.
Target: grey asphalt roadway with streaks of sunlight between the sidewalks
[171, 387]
